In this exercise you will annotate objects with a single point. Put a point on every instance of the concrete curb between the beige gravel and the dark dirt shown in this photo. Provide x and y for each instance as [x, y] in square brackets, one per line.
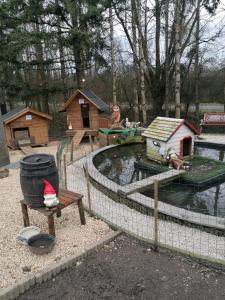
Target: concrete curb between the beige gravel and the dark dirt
[19, 288]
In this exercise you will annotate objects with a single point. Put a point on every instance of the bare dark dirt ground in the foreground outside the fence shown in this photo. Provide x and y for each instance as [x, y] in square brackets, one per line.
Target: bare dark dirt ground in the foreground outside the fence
[128, 269]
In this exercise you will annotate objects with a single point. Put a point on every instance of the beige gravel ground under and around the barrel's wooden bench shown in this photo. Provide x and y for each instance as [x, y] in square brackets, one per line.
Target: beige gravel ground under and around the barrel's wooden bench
[16, 260]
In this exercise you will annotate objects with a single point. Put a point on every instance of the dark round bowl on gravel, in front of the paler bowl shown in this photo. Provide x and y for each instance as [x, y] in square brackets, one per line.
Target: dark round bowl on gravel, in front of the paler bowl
[41, 243]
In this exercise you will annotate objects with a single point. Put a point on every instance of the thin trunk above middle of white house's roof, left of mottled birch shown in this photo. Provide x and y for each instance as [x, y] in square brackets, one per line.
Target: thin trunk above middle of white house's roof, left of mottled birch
[166, 58]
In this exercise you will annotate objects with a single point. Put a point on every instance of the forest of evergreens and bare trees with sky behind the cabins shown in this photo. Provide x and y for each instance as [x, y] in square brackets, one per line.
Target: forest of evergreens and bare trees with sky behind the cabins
[152, 57]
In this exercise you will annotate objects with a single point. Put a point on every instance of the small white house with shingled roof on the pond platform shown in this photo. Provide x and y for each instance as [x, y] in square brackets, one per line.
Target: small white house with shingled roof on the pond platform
[169, 135]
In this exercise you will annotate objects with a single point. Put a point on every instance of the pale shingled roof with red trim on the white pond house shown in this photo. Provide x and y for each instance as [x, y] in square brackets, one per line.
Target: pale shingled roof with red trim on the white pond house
[162, 129]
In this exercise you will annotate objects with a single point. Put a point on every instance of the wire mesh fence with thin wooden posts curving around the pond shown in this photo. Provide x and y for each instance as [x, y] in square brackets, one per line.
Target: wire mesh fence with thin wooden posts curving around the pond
[159, 207]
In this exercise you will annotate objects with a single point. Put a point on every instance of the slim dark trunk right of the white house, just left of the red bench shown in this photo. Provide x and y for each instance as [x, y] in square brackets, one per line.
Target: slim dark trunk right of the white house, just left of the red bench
[197, 60]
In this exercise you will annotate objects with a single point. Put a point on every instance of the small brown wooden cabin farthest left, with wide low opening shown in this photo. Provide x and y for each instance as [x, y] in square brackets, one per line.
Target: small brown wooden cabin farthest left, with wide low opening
[26, 126]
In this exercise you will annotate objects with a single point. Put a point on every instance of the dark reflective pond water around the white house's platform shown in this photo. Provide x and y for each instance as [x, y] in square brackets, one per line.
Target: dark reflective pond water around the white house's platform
[117, 164]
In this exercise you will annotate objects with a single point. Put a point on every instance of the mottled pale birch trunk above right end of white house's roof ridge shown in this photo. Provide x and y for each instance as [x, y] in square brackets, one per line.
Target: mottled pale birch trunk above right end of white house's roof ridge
[177, 59]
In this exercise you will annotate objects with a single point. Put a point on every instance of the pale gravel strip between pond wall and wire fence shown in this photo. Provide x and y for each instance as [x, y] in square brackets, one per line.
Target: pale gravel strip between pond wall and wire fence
[185, 238]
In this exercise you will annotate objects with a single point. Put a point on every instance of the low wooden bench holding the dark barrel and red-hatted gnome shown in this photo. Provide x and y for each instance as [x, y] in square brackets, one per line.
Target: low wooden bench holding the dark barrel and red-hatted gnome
[66, 198]
